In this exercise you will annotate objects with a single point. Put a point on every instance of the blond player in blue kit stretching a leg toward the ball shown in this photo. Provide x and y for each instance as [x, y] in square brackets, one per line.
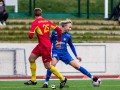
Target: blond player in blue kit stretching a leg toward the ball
[62, 52]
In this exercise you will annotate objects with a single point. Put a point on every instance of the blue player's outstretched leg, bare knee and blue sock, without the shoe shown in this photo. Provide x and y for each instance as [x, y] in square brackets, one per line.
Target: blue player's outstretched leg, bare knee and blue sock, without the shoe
[74, 64]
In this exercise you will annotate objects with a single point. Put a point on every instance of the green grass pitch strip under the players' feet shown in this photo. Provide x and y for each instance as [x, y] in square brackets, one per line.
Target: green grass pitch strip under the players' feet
[71, 85]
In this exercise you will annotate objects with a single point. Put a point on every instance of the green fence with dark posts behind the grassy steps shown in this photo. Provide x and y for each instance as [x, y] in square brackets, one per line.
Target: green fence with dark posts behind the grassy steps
[63, 8]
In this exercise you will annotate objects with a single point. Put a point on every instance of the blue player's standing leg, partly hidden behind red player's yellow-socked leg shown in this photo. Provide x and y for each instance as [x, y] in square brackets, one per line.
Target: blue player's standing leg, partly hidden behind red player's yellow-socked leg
[48, 73]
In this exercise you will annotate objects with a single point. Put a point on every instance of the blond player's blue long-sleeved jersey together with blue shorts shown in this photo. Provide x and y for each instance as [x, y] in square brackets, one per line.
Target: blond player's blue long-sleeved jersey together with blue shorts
[62, 52]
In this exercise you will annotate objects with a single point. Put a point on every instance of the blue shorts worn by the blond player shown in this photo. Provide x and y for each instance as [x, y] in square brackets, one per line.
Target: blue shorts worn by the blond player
[63, 56]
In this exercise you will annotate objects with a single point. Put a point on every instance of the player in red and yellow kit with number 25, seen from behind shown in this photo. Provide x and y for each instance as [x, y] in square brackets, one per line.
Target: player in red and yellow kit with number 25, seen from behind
[42, 27]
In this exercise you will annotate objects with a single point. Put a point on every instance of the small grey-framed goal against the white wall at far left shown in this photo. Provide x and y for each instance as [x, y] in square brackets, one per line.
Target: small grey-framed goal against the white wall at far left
[12, 62]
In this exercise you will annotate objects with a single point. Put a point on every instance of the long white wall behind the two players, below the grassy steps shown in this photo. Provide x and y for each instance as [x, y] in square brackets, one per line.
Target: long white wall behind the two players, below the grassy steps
[98, 58]
